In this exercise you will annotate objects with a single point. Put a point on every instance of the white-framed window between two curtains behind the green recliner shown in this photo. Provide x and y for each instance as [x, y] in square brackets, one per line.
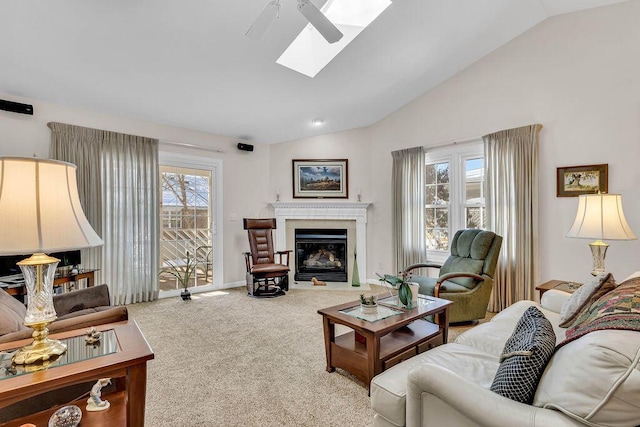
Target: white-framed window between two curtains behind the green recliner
[454, 194]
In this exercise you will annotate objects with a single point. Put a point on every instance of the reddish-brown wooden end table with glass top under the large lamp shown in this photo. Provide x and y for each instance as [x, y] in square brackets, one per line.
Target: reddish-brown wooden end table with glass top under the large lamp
[126, 365]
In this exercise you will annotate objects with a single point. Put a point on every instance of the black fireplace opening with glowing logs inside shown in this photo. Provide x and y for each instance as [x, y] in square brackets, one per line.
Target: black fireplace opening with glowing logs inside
[321, 253]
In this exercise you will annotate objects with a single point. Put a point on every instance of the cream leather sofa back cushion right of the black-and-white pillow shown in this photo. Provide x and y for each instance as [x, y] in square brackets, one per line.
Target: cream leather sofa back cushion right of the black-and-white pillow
[595, 378]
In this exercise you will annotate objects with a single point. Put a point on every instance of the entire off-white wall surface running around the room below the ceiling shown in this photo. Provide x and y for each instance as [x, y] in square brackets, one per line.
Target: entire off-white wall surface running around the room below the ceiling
[576, 74]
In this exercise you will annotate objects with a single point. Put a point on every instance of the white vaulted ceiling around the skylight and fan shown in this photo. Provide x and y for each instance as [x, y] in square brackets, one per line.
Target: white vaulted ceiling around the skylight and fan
[187, 63]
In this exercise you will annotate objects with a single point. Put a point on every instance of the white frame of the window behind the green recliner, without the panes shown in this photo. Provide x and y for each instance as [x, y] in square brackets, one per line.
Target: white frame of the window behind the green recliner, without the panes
[456, 155]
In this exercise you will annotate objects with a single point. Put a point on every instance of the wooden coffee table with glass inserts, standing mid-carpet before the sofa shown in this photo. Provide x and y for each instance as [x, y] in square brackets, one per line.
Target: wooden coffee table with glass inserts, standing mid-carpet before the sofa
[375, 345]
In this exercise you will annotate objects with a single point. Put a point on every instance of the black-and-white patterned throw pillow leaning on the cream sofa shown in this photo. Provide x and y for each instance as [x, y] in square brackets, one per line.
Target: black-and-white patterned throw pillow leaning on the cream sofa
[524, 357]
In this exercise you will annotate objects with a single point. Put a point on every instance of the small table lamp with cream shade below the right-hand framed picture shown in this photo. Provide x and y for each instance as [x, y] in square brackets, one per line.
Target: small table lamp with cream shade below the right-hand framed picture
[599, 217]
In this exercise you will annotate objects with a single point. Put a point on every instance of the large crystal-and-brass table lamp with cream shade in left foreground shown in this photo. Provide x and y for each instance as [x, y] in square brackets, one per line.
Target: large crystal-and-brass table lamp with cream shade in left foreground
[40, 212]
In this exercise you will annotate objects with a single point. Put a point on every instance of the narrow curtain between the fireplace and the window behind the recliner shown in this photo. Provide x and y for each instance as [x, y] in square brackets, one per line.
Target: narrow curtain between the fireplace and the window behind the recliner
[408, 183]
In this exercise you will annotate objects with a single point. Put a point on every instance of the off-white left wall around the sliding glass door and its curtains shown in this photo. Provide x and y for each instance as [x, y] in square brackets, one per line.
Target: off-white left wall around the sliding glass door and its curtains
[244, 172]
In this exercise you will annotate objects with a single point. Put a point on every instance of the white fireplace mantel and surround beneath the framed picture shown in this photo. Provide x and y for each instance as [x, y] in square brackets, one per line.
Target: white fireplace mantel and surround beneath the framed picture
[311, 210]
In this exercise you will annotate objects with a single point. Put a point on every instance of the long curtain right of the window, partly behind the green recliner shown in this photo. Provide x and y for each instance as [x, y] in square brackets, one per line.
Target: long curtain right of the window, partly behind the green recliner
[511, 158]
